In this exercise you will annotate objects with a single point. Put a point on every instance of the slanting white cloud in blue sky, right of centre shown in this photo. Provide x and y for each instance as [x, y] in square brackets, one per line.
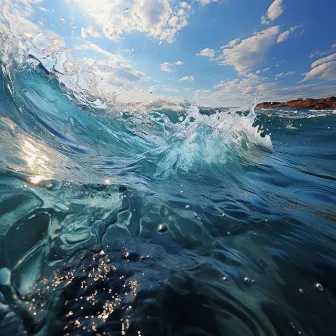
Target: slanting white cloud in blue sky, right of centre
[251, 51]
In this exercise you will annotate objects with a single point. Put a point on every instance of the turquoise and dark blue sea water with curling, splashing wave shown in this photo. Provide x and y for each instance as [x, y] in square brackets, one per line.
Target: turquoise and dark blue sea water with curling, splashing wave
[163, 222]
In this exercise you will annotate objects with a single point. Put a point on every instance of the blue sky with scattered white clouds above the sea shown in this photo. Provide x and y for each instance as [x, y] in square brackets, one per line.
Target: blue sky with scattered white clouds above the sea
[219, 53]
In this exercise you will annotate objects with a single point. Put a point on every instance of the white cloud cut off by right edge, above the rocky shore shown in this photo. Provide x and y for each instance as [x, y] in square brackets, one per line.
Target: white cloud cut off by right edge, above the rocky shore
[324, 68]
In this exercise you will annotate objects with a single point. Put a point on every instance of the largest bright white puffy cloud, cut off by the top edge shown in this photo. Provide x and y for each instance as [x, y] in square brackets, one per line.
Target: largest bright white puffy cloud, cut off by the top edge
[155, 18]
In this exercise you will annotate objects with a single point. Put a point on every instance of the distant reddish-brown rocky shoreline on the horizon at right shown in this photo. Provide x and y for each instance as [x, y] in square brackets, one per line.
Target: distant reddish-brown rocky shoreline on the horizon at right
[299, 104]
